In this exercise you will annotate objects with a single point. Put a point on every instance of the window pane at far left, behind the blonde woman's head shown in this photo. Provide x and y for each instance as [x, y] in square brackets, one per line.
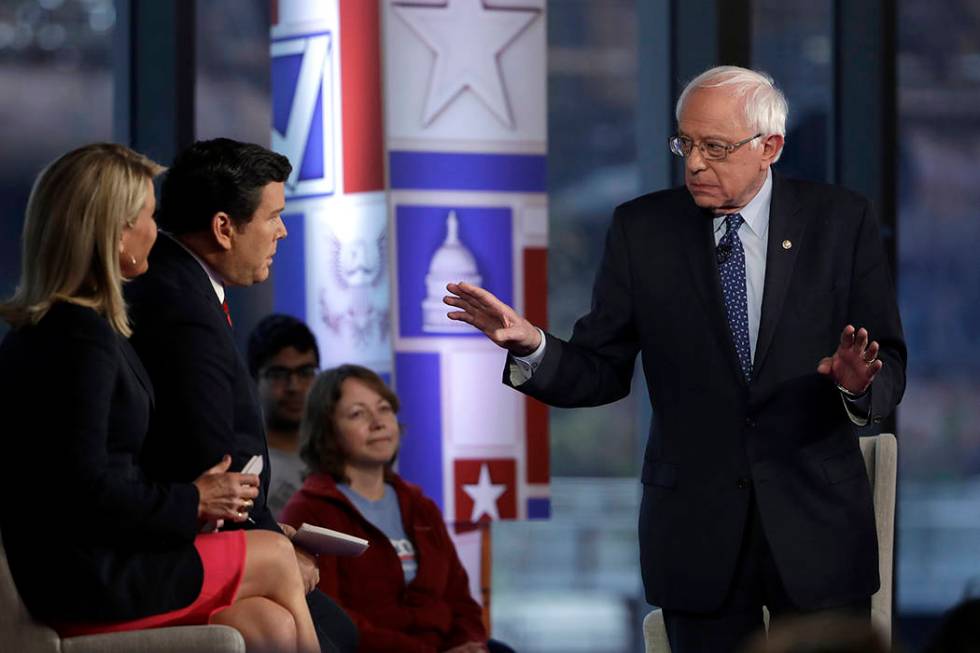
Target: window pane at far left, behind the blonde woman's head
[53, 53]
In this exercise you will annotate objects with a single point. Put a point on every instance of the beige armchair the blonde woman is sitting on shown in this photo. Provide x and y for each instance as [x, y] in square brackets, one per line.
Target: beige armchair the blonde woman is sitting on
[20, 632]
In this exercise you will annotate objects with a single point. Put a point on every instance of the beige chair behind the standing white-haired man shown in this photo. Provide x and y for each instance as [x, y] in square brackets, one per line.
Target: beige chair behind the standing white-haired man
[881, 459]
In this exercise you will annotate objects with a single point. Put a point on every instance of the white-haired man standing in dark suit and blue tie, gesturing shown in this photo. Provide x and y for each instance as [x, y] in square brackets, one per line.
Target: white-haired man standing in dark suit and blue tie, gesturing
[754, 300]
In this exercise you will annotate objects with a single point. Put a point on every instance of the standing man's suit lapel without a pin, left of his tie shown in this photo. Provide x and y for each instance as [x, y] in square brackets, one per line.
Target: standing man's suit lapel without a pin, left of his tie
[700, 250]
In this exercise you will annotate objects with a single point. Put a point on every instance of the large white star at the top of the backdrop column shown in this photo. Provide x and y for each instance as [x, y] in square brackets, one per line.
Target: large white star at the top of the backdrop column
[467, 39]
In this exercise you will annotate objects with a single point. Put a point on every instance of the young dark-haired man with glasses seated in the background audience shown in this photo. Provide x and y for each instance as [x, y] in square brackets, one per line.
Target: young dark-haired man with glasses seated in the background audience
[283, 358]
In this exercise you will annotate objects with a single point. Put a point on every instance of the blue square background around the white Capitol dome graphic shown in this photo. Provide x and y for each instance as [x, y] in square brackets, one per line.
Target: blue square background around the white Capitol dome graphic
[485, 231]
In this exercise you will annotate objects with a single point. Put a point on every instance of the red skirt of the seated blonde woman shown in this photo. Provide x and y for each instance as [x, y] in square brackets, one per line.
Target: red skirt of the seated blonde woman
[223, 558]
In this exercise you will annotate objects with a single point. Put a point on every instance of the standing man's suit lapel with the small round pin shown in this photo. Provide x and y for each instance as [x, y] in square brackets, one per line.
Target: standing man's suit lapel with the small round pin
[787, 225]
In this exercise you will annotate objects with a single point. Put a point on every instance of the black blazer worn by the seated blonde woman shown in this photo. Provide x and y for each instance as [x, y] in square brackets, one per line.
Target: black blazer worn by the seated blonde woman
[88, 537]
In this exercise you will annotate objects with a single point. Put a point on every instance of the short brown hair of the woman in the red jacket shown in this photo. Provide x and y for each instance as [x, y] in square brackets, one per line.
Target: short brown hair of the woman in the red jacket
[319, 441]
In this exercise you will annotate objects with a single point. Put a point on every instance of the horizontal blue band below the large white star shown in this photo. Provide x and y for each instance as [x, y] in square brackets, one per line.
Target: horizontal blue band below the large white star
[522, 173]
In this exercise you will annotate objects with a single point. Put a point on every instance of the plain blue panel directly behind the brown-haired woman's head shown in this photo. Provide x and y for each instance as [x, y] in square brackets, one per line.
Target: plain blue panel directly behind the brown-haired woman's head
[420, 456]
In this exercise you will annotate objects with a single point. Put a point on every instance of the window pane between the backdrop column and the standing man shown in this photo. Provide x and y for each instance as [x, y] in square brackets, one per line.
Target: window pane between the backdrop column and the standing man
[592, 167]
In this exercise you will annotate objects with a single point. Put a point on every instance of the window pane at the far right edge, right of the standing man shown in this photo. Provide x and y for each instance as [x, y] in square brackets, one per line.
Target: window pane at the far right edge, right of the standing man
[939, 294]
